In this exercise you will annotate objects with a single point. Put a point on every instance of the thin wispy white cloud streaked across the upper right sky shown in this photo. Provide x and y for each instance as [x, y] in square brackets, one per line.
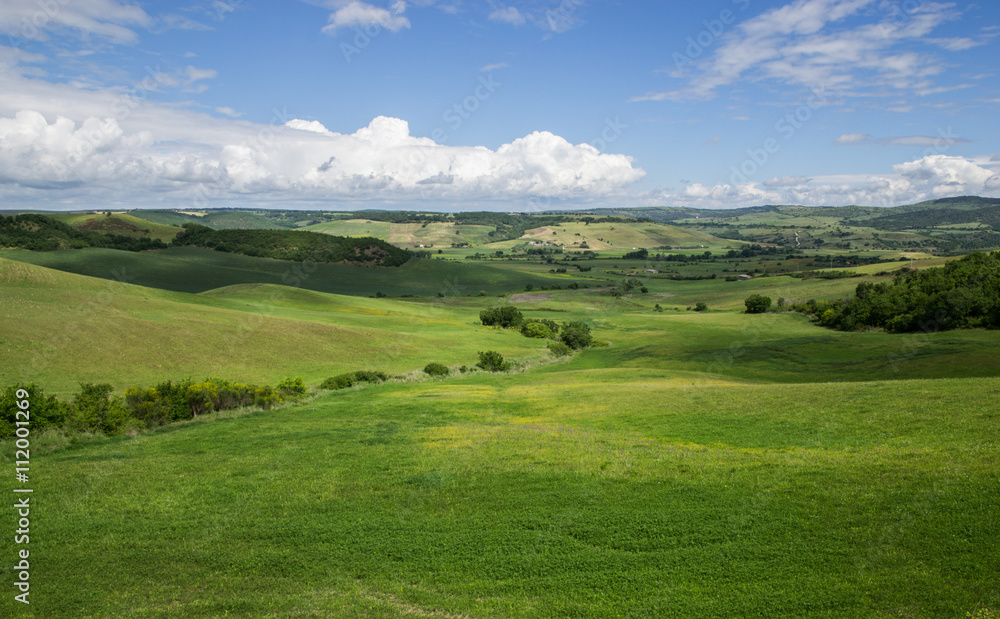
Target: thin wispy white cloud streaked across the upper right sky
[808, 44]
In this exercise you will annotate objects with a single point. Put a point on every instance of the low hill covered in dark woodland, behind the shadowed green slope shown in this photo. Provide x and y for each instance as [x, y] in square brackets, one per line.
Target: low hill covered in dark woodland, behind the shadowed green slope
[295, 245]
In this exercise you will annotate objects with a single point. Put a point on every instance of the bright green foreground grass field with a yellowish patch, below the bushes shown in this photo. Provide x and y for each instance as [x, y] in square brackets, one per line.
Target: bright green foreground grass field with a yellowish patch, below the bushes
[591, 493]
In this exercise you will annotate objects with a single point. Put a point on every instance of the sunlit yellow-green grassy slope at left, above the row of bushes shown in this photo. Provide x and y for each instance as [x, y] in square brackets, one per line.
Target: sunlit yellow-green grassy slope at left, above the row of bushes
[132, 335]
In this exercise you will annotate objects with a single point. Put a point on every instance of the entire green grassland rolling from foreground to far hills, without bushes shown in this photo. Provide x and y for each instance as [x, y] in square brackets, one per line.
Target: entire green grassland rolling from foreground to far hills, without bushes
[690, 464]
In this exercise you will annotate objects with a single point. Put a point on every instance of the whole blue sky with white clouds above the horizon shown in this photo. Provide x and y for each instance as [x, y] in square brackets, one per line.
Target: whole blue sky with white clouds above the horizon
[521, 105]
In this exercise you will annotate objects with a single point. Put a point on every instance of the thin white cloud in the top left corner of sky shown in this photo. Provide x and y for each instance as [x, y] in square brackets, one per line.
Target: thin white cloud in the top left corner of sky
[108, 19]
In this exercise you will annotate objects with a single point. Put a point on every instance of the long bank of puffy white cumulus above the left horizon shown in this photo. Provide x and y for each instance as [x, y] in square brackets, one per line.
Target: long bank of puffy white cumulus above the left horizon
[301, 160]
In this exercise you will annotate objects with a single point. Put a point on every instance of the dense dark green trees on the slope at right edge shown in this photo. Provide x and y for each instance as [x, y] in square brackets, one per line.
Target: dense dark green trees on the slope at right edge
[963, 294]
